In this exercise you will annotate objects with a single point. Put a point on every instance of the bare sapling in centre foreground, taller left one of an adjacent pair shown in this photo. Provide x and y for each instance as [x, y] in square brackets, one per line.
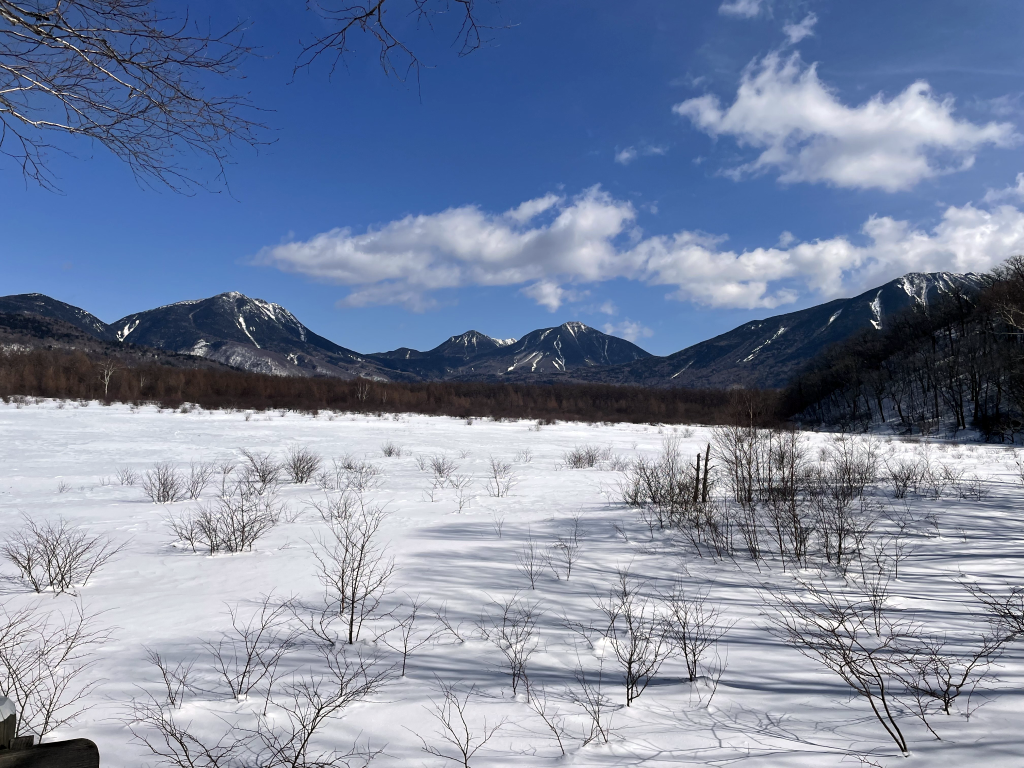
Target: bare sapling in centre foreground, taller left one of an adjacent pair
[636, 634]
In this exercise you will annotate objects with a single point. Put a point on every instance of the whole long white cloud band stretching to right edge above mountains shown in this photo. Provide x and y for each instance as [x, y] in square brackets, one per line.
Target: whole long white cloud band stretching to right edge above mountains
[551, 248]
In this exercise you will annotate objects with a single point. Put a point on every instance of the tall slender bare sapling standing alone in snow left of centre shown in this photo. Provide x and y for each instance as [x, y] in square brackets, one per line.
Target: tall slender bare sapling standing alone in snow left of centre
[354, 567]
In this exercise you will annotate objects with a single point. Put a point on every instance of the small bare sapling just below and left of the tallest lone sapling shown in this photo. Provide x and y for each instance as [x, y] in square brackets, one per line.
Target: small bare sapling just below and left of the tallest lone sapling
[250, 654]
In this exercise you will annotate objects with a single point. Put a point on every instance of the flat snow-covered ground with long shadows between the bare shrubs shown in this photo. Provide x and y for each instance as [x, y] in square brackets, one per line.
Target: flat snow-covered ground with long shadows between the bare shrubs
[773, 707]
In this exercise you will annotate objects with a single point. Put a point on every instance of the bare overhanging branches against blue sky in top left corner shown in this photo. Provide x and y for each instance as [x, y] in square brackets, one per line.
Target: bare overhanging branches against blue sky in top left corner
[124, 75]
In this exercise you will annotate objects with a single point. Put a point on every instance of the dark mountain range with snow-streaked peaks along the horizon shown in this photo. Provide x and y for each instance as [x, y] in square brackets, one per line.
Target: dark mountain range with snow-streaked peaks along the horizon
[260, 336]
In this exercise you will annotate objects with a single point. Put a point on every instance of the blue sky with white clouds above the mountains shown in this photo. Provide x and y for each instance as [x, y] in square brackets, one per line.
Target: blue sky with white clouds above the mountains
[662, 170]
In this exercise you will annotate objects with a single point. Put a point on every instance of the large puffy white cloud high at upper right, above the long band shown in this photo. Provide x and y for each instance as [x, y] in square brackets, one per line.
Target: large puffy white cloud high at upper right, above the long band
[807, 135]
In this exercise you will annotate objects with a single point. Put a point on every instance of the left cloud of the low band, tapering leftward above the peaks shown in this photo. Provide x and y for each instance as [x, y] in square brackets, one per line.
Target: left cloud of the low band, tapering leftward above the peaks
[404, 262]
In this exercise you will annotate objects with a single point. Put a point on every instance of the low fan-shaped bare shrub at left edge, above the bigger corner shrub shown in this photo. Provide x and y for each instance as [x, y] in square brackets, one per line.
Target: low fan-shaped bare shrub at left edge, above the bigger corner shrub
[57, 556]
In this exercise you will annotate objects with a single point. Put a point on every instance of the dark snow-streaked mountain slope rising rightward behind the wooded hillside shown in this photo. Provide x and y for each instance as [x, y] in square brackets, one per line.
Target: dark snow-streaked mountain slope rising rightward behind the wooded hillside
[770, 353]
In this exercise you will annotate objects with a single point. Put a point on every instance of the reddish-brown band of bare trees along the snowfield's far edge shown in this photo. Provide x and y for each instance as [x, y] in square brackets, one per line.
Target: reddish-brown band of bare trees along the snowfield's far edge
[76, 375]
